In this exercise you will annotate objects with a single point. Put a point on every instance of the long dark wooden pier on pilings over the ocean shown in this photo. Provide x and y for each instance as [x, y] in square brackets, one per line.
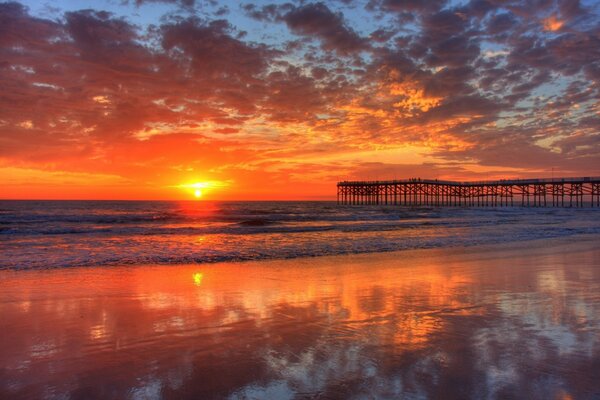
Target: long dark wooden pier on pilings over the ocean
[555, 192]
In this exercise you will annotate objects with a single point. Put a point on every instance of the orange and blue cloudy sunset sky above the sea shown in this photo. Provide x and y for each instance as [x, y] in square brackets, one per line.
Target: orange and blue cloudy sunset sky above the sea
[257, 100]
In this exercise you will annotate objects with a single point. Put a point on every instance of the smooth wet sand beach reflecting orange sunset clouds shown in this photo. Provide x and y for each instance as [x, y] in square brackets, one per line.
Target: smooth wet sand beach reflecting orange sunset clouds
[509, 321]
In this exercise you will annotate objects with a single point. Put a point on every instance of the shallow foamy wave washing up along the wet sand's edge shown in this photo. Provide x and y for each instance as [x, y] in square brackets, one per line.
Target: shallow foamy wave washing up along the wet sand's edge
[169, 256]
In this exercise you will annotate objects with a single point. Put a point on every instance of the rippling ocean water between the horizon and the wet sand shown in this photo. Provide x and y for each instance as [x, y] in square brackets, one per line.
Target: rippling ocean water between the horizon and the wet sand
[60, 234]
